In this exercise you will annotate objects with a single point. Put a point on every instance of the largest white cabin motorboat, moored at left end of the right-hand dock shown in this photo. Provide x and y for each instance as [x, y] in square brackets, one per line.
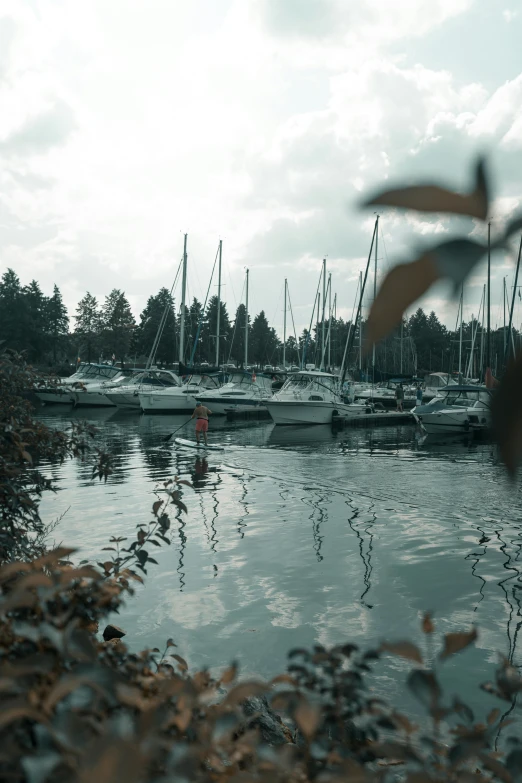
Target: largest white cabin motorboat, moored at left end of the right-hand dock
[311, 397]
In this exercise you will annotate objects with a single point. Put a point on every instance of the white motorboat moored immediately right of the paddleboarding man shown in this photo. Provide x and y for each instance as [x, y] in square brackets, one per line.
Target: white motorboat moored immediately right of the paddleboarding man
[243, 392]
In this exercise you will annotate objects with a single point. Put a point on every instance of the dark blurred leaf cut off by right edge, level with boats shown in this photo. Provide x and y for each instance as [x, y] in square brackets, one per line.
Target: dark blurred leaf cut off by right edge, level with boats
[506, 416]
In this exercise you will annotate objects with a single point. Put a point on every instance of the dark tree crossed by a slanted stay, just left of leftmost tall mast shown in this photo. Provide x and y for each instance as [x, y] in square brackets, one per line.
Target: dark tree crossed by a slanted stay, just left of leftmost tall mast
[150, 320]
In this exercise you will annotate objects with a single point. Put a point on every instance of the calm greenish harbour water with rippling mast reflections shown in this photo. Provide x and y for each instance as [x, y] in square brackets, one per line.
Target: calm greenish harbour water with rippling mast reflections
[296, 536]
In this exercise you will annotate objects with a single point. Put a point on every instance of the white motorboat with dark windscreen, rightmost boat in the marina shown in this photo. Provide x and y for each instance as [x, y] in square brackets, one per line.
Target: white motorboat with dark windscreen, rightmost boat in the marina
[456, 409]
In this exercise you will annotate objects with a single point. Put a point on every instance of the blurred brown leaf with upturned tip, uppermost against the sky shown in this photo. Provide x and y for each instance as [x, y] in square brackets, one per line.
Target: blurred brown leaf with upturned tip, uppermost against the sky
[432, 198]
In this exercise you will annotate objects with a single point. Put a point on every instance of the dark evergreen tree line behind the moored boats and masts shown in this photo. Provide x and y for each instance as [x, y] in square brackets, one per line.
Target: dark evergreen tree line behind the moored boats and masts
[41, 327]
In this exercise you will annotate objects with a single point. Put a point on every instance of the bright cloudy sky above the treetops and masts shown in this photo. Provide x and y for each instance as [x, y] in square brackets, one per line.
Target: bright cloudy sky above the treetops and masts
[125, 124]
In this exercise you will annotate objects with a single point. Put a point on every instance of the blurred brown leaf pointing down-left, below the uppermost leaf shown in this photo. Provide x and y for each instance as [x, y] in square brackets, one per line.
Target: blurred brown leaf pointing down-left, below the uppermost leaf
[402, 286]
